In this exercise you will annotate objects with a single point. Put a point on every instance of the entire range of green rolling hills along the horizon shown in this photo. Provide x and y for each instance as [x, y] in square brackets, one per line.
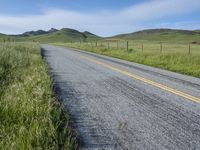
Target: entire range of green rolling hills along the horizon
[71, 35]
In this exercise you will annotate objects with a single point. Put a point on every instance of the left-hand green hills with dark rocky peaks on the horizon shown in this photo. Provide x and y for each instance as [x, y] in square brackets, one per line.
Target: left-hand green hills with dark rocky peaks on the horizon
[53, 35]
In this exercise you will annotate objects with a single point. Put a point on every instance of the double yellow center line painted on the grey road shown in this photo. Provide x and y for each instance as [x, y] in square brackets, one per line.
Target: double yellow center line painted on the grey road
[158, 85]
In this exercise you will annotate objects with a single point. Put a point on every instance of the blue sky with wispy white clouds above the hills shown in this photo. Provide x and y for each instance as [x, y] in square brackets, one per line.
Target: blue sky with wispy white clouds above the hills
[102, 17]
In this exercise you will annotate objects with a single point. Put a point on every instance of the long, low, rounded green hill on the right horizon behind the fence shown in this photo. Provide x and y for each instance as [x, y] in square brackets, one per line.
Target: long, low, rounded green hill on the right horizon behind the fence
[161, 35]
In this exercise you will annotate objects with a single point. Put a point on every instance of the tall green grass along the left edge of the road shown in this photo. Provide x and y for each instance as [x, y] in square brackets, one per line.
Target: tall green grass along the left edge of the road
[30, 115]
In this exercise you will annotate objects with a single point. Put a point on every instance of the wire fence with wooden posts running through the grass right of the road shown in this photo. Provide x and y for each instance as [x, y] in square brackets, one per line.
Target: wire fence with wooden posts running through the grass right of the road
[143, 46]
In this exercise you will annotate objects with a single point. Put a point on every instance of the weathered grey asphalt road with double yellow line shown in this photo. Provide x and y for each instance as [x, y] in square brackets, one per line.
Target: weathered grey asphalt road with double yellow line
[116, 104]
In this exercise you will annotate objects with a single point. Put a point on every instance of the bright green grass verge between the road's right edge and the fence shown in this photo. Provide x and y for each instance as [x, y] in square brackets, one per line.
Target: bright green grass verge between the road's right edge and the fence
[176, 61]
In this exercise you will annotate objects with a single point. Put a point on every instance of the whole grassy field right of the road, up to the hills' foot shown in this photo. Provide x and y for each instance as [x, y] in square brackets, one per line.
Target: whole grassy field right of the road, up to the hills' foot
[171, 56]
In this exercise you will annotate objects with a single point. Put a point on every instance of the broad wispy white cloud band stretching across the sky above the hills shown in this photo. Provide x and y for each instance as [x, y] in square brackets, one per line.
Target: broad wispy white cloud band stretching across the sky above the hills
[105, 22]
